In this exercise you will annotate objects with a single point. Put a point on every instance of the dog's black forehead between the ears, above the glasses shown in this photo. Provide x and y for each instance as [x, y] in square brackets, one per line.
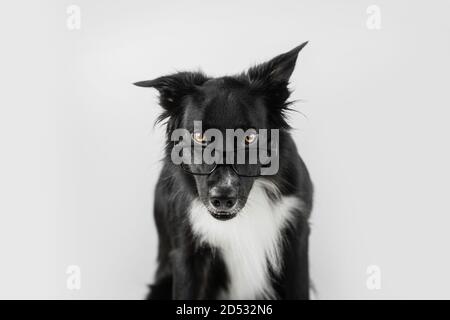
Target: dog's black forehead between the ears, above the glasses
[225, 103]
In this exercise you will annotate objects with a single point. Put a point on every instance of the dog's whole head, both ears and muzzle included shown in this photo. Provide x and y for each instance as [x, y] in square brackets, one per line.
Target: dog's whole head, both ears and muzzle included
[251, 101]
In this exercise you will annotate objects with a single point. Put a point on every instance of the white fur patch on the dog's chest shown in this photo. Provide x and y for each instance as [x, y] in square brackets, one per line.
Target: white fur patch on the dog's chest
[250, 242]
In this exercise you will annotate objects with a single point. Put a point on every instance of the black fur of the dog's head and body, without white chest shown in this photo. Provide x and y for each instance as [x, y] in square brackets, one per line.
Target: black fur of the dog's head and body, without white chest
[255, 99]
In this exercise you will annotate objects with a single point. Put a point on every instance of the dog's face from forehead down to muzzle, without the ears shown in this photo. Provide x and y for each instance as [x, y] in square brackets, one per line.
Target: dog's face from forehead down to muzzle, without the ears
[223, 104]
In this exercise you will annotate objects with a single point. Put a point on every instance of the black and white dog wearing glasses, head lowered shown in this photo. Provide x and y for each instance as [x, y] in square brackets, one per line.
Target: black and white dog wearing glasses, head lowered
[224, 233]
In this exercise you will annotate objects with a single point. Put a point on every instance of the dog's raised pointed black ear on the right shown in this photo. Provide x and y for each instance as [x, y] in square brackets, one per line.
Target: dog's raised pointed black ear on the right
[278, 70]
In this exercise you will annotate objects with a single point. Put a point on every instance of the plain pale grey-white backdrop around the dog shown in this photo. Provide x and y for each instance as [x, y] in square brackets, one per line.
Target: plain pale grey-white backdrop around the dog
[79, 156]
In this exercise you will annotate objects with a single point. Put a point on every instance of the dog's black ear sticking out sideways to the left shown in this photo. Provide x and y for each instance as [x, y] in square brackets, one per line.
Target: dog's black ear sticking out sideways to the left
[174, 87]
